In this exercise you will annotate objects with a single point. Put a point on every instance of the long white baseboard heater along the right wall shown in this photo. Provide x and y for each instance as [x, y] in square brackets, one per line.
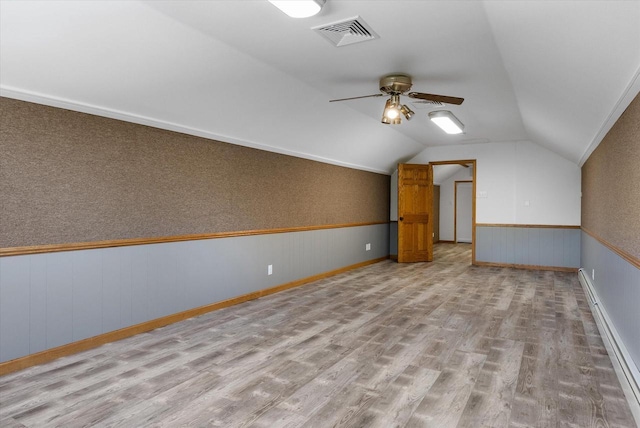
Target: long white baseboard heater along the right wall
[624, 366]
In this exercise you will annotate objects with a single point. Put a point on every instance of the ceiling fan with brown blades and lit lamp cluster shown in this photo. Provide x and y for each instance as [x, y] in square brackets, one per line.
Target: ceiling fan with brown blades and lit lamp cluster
[396, 85]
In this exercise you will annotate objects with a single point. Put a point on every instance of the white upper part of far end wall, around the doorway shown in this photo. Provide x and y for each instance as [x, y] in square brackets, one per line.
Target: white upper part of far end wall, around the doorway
[512, 174]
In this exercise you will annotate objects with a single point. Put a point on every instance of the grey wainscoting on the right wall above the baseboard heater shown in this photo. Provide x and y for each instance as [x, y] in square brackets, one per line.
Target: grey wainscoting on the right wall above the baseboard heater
[617, 285]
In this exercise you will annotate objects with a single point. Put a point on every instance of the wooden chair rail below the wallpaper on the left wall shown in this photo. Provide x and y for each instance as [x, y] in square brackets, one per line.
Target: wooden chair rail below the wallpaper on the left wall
[54, 248]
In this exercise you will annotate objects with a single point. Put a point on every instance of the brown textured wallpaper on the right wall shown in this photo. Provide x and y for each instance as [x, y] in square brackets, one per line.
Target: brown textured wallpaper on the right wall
[611, 185]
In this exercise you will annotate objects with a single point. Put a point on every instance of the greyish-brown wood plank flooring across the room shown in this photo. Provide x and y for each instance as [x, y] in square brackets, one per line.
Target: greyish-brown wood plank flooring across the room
[440, 344]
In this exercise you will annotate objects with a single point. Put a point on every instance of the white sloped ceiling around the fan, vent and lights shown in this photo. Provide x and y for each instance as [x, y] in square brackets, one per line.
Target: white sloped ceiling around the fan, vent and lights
[557, 73]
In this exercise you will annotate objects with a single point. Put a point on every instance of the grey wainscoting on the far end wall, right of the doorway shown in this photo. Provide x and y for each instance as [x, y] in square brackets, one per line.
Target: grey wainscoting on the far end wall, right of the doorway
[528, 246]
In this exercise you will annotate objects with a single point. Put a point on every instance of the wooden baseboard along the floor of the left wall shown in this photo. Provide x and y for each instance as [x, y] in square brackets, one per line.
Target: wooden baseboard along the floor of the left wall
[112, 336]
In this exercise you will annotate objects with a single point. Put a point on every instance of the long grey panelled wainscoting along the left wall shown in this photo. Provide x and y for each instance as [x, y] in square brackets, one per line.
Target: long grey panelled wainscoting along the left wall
[52, 299]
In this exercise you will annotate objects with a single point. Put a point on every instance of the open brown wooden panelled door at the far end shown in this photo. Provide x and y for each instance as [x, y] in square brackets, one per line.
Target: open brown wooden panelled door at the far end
[415, 210]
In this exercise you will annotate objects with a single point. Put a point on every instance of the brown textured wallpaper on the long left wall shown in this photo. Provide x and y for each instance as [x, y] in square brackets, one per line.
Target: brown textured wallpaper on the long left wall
[68, 177]
